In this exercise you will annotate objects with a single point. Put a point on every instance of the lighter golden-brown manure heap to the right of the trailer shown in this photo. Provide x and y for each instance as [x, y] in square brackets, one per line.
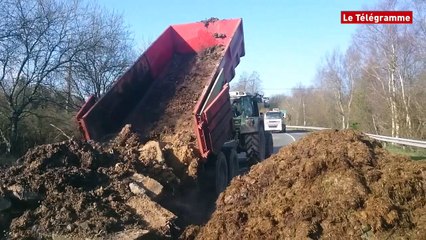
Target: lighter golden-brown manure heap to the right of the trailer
[330, 184]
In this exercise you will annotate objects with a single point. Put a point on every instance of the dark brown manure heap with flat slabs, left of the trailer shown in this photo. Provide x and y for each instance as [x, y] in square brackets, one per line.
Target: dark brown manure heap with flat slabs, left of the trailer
[76, 189]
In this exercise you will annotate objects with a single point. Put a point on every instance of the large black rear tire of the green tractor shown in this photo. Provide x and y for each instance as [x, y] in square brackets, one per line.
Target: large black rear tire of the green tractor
[255, 145]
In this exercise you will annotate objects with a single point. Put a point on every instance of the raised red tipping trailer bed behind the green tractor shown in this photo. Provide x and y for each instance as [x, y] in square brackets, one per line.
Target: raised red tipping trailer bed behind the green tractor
[212, 113]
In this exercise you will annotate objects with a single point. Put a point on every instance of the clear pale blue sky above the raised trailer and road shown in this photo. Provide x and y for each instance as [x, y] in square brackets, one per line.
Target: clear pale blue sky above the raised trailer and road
[285, 41]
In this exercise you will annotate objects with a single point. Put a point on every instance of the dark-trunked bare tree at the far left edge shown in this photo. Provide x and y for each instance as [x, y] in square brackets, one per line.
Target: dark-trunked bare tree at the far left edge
[38, 38]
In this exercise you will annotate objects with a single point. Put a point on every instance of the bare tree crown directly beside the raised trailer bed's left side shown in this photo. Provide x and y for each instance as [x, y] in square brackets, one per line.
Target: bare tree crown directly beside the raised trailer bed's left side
[109, 52]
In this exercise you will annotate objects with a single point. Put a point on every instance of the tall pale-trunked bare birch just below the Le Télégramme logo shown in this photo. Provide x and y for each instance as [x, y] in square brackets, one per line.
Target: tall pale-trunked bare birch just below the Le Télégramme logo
[387, 55]
